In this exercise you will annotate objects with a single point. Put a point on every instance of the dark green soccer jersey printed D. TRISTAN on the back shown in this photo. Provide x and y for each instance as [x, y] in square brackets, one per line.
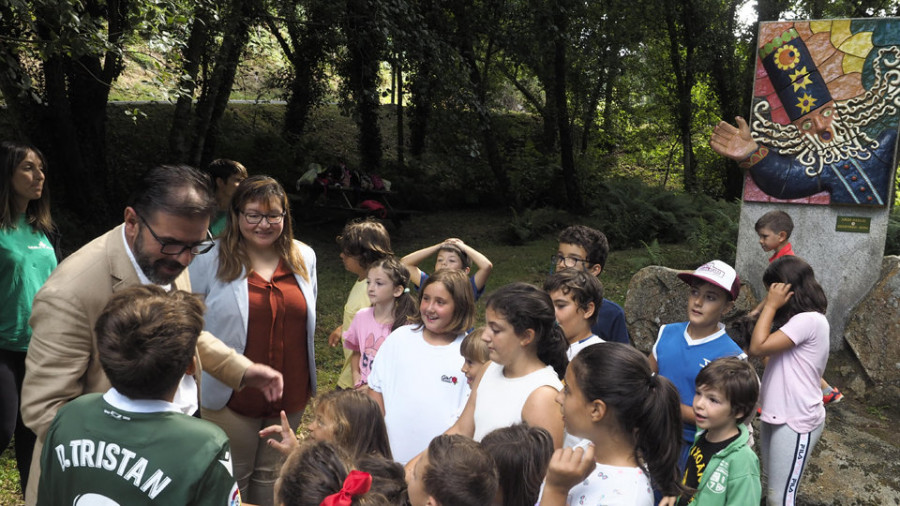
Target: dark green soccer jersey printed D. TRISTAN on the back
[98, 454]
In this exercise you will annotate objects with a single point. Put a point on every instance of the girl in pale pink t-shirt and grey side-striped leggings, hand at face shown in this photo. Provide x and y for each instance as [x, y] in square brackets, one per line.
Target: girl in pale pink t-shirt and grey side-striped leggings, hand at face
[793, 414]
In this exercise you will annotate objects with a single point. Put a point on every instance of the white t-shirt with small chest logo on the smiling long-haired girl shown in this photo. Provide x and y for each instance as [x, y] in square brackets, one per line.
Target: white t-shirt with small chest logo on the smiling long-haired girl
[422, 386]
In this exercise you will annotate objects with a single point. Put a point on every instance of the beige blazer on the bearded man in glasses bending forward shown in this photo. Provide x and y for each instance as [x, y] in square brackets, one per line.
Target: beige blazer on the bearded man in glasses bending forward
[62, 361]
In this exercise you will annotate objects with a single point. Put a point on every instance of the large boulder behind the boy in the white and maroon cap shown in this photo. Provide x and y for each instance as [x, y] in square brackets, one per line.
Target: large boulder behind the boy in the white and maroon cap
[656, 296]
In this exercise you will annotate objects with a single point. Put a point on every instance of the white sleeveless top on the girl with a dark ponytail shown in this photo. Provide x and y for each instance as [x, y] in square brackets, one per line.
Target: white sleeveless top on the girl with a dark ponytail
[500, 400]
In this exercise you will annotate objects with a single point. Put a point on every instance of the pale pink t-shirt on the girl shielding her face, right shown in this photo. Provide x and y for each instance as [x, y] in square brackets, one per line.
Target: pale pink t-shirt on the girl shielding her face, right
[790, 388]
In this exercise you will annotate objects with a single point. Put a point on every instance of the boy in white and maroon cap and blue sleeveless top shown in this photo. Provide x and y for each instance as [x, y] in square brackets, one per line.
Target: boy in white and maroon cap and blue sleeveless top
[682, 349]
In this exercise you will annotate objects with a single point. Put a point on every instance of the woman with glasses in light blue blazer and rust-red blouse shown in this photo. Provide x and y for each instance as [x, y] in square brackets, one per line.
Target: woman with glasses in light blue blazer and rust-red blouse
[260, 288]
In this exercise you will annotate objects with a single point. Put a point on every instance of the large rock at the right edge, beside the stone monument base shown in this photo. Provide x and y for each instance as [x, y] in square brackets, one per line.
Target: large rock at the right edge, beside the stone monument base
[873, 332]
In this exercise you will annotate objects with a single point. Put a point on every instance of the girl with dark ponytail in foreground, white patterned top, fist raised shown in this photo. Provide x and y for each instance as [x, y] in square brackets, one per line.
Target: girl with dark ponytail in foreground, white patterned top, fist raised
[632, 418]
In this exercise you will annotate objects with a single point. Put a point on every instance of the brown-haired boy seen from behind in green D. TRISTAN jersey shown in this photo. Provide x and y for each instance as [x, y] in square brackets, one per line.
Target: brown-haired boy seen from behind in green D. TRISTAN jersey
[131, 445]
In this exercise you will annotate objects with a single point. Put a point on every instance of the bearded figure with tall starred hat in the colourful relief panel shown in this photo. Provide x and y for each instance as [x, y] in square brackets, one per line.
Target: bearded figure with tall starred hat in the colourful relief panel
[824, 148]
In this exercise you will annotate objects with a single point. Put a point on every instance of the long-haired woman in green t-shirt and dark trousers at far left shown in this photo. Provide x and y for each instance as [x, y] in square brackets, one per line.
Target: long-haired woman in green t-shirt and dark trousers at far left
[26, 260]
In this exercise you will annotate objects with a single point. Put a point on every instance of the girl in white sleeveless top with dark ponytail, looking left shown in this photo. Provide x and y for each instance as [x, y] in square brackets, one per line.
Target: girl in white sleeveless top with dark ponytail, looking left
[528, 359]
